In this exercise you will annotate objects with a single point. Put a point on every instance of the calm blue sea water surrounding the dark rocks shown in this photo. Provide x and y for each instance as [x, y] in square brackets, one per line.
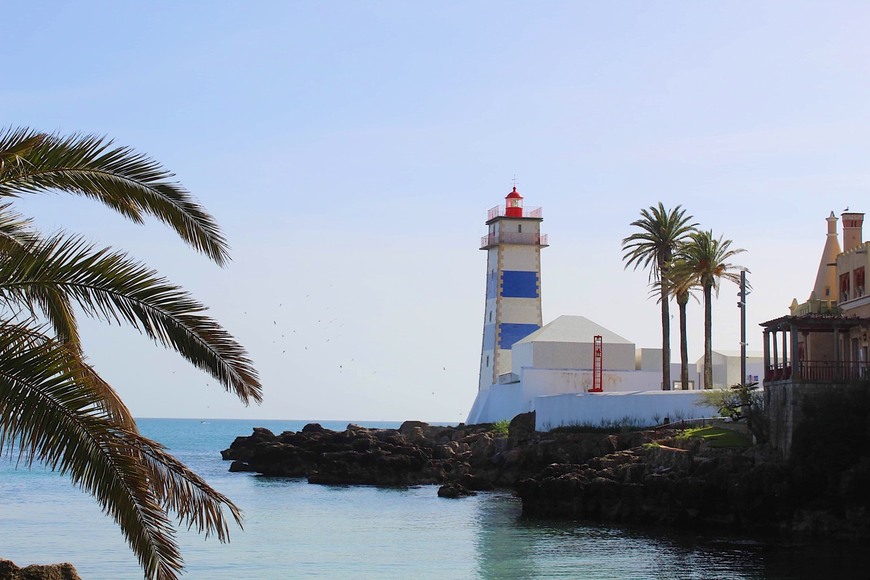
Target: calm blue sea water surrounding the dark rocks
[297, 530]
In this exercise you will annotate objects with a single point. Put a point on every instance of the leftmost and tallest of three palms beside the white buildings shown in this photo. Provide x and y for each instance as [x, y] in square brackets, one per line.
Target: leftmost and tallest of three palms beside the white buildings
[653, 247]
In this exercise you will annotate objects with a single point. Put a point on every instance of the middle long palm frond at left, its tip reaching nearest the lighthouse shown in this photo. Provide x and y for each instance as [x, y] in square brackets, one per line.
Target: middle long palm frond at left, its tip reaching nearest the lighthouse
[111, 286]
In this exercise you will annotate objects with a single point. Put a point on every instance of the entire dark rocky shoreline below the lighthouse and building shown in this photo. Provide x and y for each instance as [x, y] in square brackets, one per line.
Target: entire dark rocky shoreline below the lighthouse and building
[642, 477]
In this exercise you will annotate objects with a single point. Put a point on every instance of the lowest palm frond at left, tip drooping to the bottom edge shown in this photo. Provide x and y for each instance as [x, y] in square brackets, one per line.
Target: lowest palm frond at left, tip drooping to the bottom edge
[35, 392]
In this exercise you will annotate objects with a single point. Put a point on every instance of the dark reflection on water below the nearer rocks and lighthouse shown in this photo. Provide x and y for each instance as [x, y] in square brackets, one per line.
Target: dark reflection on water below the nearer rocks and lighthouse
[511, 547]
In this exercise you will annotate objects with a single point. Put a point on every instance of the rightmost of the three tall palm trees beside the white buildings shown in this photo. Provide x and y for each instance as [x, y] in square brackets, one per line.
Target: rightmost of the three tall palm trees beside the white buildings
[703, 262]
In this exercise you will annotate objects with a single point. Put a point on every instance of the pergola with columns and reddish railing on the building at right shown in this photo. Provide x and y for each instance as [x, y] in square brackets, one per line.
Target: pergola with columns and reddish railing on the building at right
[784, 365]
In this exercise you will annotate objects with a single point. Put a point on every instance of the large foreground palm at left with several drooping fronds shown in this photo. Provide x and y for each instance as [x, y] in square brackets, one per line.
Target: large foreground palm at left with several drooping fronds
[53, 405]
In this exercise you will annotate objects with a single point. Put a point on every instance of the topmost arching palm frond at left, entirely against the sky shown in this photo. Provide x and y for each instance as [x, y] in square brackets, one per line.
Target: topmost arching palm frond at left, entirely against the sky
[126, 181]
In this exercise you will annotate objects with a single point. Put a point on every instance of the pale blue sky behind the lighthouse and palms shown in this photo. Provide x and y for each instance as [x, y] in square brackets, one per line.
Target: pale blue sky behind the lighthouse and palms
[351, 150]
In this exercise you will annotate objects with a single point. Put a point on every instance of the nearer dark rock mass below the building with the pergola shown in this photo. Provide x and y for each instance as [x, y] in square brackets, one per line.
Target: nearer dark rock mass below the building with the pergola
[683, 482]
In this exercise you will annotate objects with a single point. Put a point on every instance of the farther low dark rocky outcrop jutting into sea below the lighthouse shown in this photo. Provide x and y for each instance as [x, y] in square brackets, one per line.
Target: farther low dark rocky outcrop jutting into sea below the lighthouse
[475, 456]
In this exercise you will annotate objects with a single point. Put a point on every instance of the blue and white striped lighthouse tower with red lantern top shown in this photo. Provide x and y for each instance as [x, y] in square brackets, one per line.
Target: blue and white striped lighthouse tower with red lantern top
[513, 283]
